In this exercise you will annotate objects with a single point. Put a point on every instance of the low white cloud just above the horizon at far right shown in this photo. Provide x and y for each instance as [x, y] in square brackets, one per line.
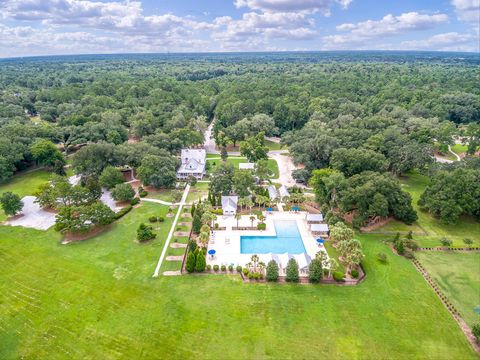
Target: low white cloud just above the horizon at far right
[451, 41]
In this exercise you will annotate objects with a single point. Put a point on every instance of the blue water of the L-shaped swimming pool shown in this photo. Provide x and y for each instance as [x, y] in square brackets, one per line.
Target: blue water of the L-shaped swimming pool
[288, 239]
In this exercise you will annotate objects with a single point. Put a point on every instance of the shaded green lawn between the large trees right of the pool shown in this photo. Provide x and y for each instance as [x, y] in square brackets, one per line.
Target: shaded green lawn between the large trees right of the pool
[467, 227]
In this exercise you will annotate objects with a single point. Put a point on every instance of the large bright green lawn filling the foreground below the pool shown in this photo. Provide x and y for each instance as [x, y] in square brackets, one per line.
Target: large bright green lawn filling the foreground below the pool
[97, 299]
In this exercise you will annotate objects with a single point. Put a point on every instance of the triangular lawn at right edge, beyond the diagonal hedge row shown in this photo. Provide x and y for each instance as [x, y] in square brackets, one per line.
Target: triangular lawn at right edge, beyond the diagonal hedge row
[458, 275]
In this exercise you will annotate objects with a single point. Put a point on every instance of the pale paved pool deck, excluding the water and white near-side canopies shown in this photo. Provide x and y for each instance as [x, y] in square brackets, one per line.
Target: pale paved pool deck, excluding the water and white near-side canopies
[226, 242]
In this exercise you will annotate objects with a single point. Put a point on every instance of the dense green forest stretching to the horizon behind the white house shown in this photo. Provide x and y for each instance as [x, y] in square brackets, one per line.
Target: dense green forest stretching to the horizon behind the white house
[356, 114]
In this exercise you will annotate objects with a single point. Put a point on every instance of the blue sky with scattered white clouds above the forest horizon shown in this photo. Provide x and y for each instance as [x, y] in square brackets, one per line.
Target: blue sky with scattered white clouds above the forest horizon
[46, 27]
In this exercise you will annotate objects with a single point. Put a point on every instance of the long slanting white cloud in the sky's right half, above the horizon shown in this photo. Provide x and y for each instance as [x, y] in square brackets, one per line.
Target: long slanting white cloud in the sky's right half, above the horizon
[359, 35]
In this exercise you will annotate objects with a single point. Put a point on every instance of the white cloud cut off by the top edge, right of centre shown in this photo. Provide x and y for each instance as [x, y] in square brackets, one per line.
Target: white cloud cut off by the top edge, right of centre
[291, 5]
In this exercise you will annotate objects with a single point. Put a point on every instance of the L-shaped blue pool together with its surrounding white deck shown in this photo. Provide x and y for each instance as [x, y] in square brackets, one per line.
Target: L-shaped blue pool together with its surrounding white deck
[286, 236]
